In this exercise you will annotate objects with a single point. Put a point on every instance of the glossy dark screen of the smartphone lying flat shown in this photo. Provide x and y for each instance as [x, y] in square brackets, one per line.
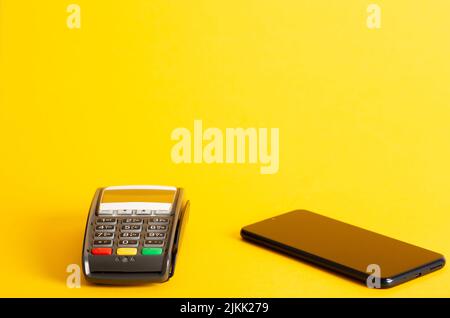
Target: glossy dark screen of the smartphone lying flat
[341, 243]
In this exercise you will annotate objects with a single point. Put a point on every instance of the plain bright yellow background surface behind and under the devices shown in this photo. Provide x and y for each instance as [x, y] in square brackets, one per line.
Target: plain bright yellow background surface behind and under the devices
[363, 117]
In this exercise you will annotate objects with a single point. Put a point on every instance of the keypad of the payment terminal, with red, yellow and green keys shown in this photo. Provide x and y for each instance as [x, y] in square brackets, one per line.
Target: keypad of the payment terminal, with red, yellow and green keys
[128, 232]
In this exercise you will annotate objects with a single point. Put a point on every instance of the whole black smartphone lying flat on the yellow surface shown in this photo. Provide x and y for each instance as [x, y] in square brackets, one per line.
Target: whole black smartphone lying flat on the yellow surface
[346, 249]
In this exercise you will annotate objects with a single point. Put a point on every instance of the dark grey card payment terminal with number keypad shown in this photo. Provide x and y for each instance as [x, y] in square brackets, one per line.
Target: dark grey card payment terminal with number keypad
[133, 234]
